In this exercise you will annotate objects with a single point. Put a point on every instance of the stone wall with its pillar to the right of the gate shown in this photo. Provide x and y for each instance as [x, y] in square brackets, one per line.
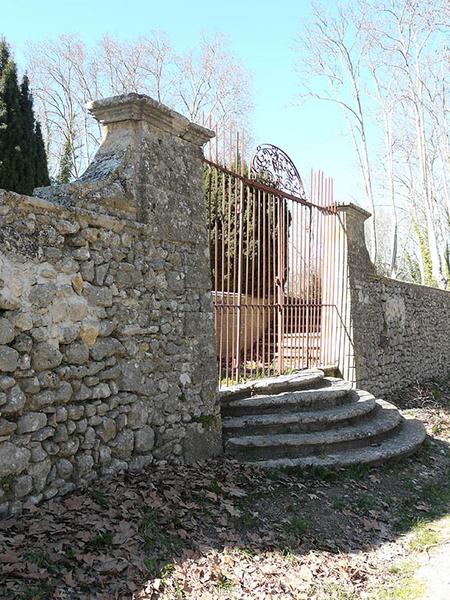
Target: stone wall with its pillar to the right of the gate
[400, 332]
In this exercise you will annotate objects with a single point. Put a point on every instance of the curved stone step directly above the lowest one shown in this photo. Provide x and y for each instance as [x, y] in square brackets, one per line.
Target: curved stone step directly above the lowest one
[386, 419]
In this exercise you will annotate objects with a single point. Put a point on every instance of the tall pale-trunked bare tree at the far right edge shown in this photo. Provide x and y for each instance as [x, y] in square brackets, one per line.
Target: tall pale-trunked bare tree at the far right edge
[406, 30]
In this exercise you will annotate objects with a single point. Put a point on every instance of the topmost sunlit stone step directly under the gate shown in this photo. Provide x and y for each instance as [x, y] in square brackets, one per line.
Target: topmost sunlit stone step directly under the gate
[301, 380]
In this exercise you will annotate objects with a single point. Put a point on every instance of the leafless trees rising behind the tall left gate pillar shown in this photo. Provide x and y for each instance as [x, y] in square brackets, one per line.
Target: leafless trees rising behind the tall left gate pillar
[207, 83]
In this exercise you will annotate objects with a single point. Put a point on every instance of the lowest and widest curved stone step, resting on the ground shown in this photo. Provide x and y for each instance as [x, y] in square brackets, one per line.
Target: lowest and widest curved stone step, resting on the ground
[407, 439]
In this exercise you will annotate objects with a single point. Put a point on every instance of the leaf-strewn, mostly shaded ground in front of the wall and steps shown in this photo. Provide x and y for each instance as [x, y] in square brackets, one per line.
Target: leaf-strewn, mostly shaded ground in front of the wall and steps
[219, 530]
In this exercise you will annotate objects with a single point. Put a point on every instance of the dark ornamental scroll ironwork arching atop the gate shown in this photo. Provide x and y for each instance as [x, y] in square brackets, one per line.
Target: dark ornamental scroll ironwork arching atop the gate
[278, 170]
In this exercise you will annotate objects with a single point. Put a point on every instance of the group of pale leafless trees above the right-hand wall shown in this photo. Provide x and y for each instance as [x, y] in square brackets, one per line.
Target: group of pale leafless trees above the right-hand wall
[382, 62]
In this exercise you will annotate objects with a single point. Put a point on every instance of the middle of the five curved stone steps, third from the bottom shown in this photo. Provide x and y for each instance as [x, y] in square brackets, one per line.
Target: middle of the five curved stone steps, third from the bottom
[303, 421]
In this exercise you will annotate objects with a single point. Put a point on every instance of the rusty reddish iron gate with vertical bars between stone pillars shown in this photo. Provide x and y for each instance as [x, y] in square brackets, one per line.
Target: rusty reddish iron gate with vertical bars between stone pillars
[274, 289]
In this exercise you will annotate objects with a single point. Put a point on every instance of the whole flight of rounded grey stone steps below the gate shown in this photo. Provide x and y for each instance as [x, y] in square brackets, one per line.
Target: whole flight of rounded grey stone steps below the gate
[325, 422]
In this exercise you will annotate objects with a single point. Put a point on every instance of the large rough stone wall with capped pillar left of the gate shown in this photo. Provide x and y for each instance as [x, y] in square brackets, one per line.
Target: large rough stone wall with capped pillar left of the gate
[107, 353]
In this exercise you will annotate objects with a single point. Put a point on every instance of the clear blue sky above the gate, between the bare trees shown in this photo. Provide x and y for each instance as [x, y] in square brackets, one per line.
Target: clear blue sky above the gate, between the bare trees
[261, 34]
